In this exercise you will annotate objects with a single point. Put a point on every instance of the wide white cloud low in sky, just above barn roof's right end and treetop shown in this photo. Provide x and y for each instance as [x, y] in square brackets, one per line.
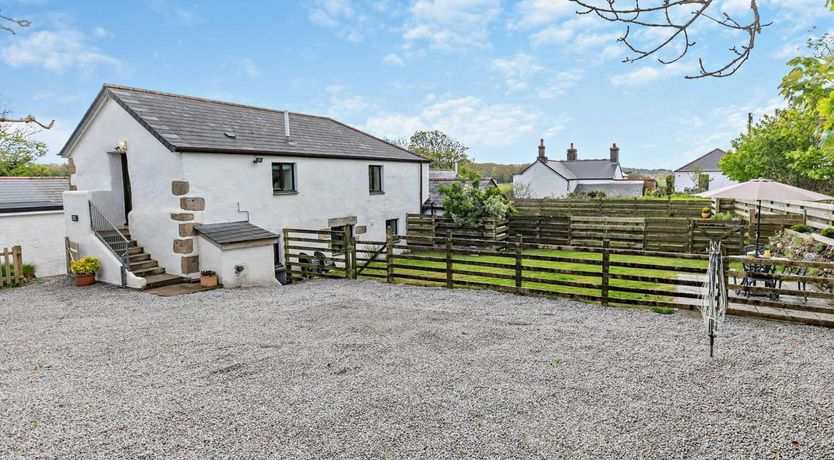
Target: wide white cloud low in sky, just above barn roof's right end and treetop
[476, 123]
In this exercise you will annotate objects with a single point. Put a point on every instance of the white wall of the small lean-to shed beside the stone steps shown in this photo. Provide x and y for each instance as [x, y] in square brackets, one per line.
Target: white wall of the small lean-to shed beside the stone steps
[258, 264]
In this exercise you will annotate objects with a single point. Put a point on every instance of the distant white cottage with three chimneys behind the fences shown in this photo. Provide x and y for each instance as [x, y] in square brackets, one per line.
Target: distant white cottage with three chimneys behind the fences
[547, 178]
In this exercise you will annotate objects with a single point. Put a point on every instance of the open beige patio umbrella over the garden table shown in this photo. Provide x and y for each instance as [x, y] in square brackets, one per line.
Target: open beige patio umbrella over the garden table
[767, 190]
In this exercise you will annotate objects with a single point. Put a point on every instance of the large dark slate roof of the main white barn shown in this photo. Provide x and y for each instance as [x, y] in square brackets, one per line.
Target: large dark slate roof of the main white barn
[191, 124]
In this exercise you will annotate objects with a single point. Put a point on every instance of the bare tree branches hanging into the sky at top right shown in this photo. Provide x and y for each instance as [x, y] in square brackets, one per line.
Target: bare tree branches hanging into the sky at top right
[677, 17]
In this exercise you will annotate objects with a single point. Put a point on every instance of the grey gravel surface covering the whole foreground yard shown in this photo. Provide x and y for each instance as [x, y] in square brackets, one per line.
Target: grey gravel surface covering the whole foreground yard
[360, 369]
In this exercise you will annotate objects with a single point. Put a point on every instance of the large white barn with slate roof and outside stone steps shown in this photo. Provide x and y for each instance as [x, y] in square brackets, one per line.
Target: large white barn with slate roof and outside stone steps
[197, 184]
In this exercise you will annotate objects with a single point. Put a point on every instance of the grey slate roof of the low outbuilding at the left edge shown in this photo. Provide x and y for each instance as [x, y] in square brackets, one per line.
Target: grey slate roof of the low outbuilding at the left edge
[20, 194]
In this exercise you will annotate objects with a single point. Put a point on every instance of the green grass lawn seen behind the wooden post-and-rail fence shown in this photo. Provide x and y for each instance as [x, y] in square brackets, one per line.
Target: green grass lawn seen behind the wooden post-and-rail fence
[590, 273]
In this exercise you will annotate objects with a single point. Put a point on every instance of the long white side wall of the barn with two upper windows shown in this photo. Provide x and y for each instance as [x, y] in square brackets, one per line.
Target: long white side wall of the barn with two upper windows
[327, 188]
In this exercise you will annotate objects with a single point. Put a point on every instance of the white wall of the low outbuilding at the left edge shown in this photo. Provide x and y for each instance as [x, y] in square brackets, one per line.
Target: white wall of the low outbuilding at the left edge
[41, 238]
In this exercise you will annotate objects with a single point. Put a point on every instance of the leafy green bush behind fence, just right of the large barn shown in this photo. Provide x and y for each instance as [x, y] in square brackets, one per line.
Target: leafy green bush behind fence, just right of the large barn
[466, 203]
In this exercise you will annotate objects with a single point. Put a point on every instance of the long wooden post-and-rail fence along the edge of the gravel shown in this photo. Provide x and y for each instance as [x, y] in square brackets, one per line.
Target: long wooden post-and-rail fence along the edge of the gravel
[606, 275]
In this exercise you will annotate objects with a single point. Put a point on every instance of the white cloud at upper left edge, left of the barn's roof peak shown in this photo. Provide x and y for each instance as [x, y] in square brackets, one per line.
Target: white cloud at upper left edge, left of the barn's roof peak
[56, 51]
